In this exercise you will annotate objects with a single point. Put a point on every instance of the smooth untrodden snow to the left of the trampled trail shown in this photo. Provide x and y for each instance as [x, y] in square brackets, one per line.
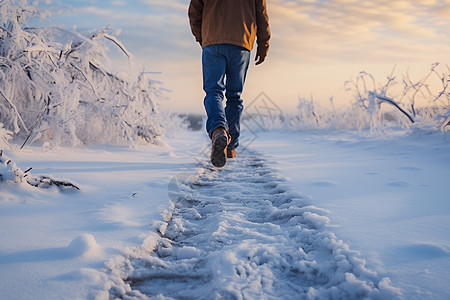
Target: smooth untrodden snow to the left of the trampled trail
[52, 243]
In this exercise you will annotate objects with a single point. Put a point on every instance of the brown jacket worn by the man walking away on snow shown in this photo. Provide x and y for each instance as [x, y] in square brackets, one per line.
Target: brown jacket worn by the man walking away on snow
[236, 22]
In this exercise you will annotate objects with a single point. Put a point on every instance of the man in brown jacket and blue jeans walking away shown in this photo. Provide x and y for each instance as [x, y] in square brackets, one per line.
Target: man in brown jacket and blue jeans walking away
[226, 30]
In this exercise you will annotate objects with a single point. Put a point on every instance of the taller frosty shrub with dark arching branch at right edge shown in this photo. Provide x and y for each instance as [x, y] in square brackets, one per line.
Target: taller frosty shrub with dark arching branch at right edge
[423, 102]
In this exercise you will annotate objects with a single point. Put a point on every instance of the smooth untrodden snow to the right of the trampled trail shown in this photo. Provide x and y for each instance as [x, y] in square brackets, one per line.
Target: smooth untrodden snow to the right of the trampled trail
[387, 196]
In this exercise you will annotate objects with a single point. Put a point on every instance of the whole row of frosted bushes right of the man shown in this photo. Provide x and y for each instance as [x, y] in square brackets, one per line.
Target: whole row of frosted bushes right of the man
[423, 104]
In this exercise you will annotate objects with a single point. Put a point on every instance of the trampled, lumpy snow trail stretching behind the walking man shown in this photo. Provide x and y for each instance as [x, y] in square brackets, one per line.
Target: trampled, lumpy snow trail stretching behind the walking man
[237, 233]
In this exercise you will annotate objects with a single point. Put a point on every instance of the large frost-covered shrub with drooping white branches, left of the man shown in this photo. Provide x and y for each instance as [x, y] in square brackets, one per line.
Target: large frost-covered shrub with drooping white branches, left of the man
[55, 85]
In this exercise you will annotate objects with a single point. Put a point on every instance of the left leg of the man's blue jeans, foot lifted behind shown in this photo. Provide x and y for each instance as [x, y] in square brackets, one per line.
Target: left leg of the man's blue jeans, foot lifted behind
[214, 69]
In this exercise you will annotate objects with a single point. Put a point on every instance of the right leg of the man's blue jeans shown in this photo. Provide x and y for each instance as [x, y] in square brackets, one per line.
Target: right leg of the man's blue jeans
[237, 66]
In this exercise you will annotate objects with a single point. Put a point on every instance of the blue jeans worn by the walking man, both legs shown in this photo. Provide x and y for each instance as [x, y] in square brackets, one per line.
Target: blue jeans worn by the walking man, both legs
[224, 70]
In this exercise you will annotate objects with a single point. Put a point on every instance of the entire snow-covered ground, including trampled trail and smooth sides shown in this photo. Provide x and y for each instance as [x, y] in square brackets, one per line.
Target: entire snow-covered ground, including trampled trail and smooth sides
[242, 231]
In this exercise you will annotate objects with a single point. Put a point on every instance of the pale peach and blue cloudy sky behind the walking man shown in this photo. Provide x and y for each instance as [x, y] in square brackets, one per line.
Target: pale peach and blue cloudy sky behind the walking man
[316, 45]
